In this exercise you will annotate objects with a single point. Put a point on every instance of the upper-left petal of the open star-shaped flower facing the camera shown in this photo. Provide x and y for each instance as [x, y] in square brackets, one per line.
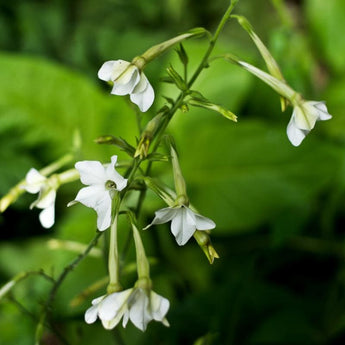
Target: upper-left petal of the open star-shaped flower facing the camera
[91, 172]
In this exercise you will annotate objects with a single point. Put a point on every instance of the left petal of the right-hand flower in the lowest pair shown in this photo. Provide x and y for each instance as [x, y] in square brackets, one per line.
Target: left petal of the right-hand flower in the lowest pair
[138, 311]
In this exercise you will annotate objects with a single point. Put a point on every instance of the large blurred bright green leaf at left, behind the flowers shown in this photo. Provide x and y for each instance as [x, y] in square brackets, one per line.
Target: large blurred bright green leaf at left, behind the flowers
[41, 106]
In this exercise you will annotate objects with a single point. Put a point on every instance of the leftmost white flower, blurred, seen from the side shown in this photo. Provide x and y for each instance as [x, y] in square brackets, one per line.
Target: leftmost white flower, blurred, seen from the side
[37, 183]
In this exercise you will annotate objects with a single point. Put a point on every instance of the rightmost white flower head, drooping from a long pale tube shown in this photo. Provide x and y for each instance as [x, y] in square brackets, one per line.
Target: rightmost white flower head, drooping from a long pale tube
[303, 120]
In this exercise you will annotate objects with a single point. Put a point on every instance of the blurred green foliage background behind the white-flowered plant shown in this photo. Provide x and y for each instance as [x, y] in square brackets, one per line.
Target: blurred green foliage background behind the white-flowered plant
[279, 209]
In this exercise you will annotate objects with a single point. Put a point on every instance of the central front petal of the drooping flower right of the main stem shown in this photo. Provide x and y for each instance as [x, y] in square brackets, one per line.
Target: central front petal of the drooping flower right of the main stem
[183, 225]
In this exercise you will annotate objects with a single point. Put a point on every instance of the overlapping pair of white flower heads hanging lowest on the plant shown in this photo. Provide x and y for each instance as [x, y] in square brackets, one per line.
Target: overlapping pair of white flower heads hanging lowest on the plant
[136, 304]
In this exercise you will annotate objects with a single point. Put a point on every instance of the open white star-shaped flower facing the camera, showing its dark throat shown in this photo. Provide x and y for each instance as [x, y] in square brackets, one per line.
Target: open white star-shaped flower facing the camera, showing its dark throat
[101, 183]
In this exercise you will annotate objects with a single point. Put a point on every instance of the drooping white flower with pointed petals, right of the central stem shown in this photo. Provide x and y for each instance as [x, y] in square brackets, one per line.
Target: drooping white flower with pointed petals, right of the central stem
[184, 222]
